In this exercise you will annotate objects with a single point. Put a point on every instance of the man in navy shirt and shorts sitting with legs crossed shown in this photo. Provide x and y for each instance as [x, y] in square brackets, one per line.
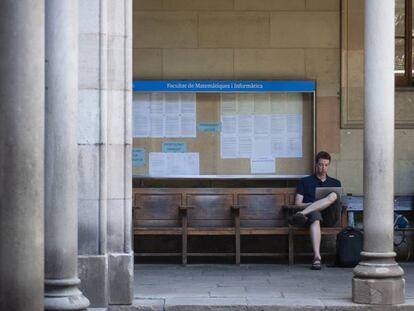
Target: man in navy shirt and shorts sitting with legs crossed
[305, 197]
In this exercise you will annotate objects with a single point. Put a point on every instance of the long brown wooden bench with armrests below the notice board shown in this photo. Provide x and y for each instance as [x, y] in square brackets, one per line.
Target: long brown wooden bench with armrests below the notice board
[232, 212]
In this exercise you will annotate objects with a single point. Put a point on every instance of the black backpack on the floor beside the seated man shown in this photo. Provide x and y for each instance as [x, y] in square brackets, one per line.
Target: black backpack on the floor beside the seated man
[348, 247]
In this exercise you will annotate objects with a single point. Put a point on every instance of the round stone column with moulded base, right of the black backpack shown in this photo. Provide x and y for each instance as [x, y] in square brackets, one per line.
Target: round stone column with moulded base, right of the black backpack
[378, 278]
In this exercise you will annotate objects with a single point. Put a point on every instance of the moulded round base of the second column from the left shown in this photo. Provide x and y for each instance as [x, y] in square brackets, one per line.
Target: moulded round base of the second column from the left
[63, 294]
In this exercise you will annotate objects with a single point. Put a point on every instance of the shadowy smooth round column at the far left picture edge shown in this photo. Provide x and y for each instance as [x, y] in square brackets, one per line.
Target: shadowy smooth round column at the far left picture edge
[21, 154]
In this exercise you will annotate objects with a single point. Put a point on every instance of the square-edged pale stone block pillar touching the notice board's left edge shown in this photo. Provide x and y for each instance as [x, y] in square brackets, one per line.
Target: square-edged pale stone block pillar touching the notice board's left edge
[104, 139]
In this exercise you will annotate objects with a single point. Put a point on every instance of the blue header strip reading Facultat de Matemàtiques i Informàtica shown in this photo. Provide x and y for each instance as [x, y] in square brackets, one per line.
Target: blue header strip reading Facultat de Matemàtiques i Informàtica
[224, 86]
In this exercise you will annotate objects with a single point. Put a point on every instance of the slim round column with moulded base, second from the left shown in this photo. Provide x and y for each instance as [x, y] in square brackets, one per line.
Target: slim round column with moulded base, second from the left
[61, 247]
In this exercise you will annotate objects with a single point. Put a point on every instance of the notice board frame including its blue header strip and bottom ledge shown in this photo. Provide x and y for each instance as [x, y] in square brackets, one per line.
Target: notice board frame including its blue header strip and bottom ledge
[234, 86]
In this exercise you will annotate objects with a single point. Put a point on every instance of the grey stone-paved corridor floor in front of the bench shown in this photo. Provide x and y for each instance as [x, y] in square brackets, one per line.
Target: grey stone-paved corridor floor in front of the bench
[250, 287]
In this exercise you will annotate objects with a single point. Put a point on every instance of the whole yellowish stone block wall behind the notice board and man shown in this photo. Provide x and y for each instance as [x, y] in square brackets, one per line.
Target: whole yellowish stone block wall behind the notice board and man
[275, 39]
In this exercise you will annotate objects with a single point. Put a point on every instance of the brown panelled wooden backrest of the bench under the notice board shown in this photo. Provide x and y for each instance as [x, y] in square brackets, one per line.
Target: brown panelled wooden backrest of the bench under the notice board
[211, 207]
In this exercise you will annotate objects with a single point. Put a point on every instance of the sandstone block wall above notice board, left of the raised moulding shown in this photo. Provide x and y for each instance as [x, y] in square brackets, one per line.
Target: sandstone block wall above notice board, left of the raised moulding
[244, 39]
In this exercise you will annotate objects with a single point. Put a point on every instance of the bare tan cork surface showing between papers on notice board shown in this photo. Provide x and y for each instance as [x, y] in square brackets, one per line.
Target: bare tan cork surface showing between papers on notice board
[207, 144]
